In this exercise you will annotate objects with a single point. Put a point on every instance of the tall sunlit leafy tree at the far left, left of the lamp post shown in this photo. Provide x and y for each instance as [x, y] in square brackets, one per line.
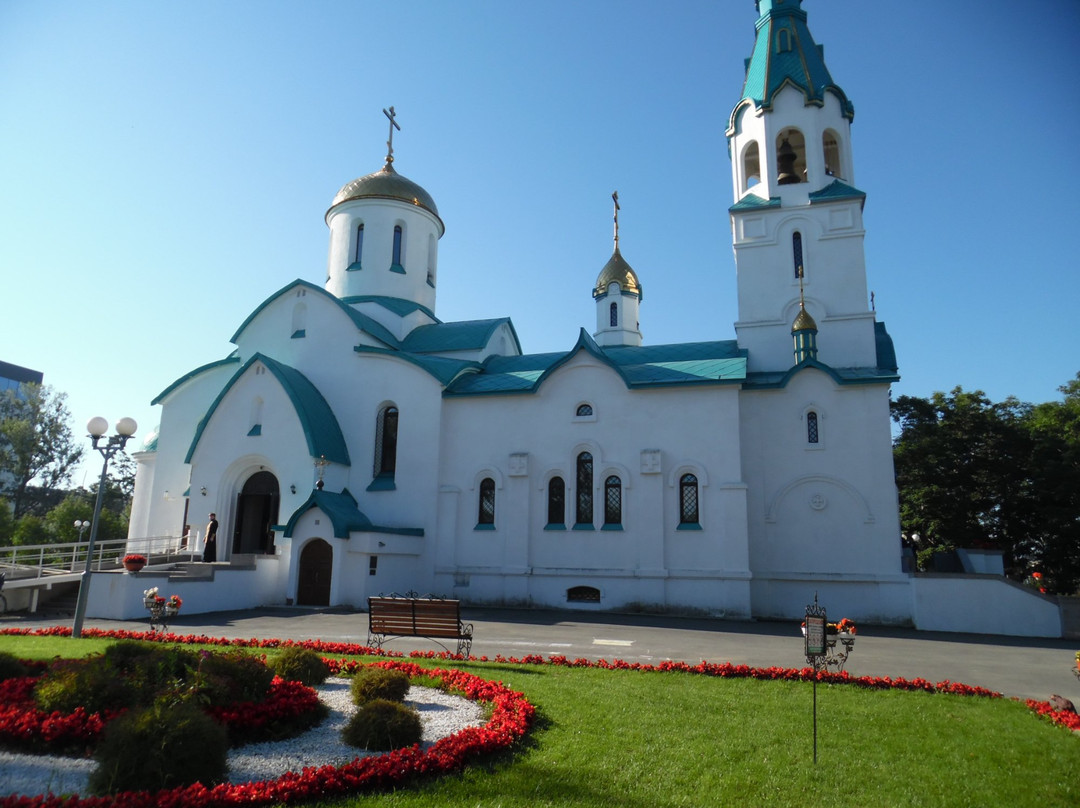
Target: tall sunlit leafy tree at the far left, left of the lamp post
[36, 442]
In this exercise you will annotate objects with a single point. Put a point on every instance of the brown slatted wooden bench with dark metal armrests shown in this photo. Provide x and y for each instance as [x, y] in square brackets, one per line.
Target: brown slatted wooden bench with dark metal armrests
[433, 618]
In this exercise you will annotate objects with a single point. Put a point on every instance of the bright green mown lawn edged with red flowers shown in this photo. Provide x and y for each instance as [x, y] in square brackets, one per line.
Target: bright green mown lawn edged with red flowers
[649, 740]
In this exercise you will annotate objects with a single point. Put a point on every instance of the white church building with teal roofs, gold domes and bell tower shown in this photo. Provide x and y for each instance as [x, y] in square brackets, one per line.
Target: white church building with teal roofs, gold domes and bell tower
[354, 445]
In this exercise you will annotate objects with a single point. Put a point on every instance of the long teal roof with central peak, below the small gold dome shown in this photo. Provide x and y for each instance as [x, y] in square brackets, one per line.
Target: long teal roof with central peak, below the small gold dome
[692, 363]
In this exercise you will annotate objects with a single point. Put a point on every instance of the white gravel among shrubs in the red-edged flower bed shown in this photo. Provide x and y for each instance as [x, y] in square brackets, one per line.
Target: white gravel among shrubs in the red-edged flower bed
[441, 715]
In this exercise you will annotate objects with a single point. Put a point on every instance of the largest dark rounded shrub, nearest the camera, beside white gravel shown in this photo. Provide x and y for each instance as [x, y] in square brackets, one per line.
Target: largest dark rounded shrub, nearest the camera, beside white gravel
[161, 747]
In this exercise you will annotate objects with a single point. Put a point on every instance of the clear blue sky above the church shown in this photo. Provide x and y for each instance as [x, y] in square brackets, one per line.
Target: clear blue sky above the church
[166, 167]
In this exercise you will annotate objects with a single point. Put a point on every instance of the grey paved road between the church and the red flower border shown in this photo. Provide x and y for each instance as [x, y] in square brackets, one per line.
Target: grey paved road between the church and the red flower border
[1025, 668]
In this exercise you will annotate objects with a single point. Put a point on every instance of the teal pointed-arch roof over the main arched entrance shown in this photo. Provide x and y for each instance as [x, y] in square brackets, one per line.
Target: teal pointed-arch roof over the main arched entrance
[320, 426]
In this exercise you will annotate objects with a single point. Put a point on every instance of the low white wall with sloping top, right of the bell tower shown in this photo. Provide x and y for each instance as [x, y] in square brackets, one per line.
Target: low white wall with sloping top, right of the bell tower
[983, 605]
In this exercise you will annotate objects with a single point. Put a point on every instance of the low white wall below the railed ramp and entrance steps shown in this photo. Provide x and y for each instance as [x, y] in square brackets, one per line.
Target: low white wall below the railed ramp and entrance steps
[119, 596]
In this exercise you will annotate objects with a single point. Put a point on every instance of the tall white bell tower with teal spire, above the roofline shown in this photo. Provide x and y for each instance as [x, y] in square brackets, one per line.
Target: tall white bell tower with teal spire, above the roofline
[798, 223]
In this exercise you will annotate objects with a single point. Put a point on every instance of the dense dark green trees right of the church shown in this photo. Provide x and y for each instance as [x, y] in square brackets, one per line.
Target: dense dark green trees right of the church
[974, 474]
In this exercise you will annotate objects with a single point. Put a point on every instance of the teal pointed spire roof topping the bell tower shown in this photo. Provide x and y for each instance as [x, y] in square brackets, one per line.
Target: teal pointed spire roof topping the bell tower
[787, 59]
